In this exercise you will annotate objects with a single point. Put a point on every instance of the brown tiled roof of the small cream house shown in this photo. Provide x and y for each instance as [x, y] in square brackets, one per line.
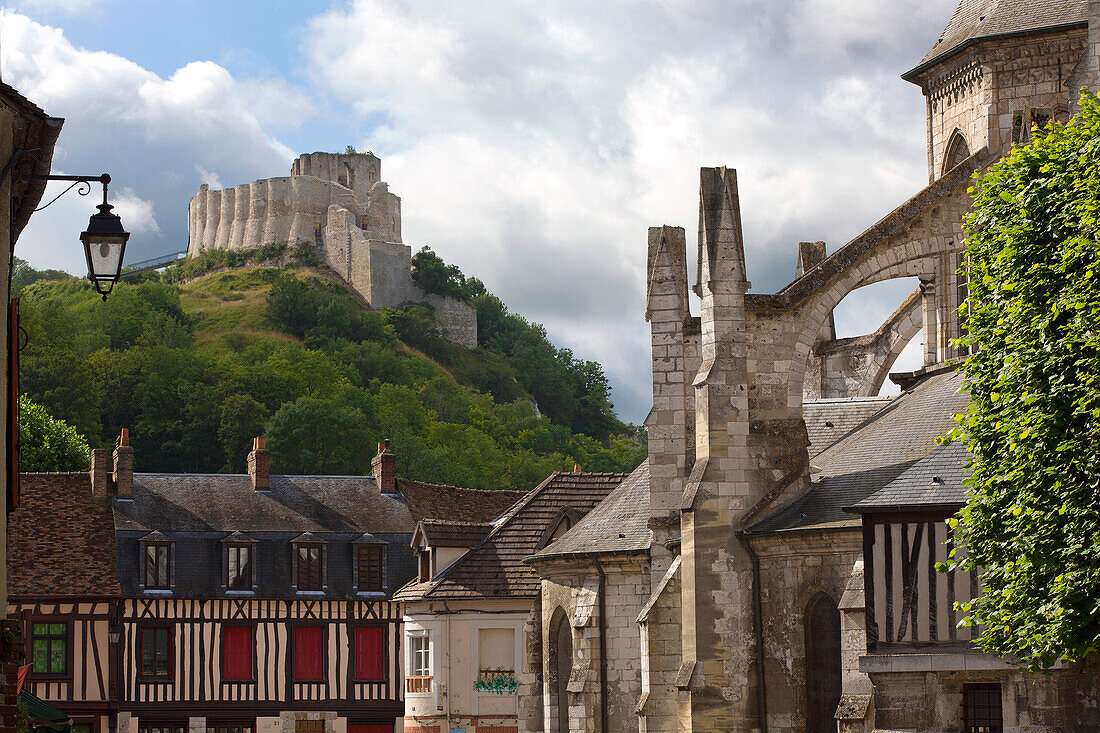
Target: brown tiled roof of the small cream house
[496, 567]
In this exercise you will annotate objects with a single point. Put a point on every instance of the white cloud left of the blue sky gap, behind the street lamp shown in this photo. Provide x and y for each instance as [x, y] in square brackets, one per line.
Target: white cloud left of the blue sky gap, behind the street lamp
[159, 138]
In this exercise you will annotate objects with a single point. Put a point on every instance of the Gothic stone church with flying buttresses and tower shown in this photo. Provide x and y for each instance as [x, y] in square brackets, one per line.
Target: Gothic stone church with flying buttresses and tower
[796, 519]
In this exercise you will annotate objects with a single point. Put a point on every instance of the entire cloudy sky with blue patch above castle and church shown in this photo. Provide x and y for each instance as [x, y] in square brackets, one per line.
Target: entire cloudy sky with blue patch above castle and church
[532, 143]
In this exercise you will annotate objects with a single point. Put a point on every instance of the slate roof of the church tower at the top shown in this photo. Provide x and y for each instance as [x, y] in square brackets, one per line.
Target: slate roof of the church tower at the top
[975, 20]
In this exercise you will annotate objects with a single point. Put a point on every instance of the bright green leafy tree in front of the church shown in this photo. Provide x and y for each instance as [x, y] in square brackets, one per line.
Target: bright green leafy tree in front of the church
[1033, 426]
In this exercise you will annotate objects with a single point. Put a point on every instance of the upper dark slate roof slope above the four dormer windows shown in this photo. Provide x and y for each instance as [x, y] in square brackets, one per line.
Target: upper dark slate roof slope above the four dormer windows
[192, 502]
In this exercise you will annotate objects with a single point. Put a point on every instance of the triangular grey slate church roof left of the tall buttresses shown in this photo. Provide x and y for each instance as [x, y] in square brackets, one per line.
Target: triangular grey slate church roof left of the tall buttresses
[619, 524]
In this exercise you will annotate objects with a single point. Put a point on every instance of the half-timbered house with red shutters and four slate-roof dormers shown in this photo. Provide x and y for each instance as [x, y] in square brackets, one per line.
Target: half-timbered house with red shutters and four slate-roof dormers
[258, 603]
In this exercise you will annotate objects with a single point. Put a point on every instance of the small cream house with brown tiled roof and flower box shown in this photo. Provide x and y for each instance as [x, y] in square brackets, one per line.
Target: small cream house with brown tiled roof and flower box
[472, 615]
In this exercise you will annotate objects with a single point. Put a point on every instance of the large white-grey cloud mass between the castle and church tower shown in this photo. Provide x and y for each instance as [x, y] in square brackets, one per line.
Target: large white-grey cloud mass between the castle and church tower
[534, 145]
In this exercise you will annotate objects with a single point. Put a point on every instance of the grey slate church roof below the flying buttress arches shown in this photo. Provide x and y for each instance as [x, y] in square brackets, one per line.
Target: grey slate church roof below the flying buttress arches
[872, 457]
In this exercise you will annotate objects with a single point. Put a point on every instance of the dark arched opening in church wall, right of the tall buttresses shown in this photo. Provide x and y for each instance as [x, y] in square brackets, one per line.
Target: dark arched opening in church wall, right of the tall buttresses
[823, 664]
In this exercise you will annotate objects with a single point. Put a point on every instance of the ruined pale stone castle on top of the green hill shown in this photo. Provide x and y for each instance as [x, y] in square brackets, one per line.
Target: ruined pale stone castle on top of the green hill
[338, 205]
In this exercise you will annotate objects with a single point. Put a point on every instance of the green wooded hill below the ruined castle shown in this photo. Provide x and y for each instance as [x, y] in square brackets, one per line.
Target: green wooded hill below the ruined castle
[197, 364]
